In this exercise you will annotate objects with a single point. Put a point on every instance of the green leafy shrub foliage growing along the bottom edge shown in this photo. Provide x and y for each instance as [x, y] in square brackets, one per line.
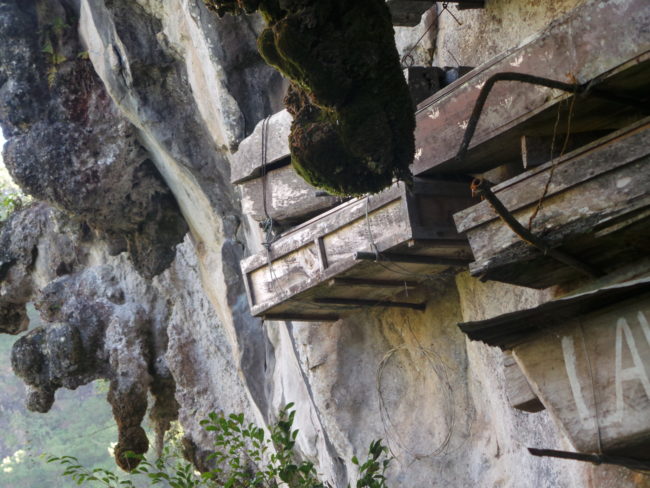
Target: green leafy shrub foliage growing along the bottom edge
[244, 456]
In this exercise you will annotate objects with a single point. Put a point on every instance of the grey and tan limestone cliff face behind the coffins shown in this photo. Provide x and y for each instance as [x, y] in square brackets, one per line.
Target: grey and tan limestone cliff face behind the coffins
[122, 116]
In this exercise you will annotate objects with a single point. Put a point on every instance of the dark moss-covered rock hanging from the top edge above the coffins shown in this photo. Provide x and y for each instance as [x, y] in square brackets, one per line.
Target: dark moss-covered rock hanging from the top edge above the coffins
[353, 117]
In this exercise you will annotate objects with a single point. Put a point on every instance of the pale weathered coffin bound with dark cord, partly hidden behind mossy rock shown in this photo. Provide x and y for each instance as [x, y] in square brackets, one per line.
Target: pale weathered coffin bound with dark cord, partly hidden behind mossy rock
[270, 186]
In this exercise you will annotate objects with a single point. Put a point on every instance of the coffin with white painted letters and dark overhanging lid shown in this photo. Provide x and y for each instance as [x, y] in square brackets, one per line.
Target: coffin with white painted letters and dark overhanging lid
[587, 358]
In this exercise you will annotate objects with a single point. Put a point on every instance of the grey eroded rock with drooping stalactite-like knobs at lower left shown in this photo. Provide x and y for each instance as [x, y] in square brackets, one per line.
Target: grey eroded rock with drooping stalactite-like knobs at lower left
[99, 325]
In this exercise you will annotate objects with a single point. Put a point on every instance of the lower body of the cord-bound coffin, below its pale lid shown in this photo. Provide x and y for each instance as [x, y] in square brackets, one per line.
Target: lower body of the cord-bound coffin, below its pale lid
[289, 199]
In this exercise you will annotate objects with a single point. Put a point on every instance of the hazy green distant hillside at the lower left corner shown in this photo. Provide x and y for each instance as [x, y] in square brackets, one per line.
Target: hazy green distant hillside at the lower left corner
[80, 424]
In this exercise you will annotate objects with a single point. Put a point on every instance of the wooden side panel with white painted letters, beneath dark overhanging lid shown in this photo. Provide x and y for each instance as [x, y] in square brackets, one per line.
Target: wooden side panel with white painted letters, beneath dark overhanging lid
[592, 374]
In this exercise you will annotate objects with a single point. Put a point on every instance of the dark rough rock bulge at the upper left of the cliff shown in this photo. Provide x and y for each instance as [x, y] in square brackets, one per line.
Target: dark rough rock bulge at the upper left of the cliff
[70, 146]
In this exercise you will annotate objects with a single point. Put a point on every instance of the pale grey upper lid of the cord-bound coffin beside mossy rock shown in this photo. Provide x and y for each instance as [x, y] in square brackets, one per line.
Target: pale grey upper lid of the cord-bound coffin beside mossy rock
[271, 136]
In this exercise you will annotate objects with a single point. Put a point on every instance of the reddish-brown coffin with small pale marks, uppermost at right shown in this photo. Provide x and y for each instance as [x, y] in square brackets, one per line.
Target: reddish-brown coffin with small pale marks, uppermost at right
[607, 43]
